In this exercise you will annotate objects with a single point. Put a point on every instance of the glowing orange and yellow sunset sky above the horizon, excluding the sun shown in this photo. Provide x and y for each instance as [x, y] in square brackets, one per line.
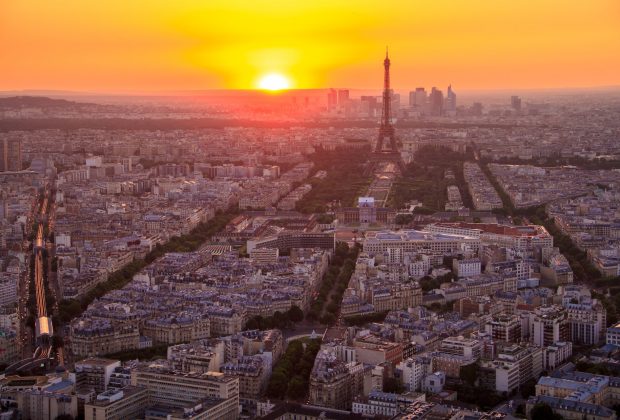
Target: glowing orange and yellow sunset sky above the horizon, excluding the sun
[158, 45]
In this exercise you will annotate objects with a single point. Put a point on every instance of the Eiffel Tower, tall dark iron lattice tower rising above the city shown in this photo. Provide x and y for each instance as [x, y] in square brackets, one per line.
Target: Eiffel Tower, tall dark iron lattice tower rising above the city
[386, 148]
